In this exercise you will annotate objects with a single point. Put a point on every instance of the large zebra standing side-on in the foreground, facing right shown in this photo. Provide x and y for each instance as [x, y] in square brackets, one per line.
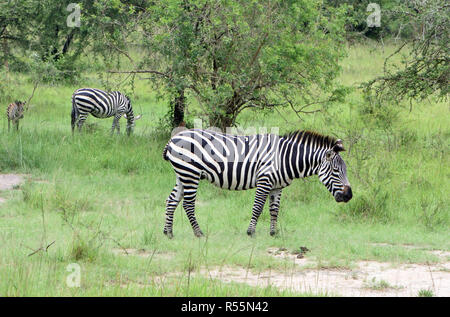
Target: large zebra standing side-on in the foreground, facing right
[267, 161]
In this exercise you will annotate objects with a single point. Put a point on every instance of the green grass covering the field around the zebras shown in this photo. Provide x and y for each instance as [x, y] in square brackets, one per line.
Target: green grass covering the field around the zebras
[93, 193]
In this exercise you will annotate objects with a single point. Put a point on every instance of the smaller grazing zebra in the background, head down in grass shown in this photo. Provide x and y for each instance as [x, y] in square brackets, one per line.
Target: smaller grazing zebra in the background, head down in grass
[102, 104]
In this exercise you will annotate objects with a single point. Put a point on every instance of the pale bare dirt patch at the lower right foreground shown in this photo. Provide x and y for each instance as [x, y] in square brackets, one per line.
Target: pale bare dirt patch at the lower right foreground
[369, 278]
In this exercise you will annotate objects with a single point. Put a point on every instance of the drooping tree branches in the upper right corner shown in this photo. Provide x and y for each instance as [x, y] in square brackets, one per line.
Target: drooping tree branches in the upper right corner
[425, 69]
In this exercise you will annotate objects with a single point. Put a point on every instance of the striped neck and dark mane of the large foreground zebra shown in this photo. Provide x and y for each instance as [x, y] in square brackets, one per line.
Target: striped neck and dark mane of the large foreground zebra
[302, 153]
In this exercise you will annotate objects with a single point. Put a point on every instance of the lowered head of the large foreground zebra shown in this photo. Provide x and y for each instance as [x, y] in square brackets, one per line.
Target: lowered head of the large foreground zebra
[333, 173]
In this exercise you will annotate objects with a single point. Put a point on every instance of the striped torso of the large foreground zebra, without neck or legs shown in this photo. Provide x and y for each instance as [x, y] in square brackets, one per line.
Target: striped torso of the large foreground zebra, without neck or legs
[228, 161]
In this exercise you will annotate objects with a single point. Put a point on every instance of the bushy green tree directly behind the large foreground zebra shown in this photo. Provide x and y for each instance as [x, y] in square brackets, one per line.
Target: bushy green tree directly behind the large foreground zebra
[235, 55]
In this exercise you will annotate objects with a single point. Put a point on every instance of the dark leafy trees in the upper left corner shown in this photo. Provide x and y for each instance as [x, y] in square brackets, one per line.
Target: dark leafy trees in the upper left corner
[40, 27]
